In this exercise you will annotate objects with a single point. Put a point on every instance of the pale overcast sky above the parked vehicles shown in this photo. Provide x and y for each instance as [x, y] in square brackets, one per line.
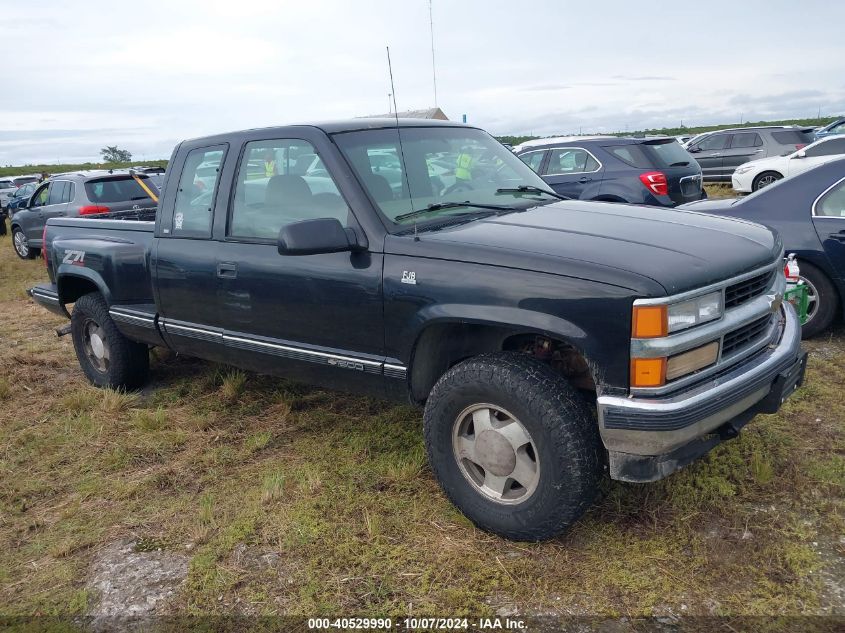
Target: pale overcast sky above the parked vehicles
[82, 75]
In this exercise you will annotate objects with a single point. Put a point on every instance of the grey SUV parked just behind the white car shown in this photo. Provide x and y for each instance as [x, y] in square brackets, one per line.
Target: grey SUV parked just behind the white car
[720, 153]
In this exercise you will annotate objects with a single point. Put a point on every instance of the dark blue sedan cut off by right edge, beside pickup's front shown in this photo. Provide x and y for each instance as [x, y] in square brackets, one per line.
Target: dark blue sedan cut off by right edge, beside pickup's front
[808, 210]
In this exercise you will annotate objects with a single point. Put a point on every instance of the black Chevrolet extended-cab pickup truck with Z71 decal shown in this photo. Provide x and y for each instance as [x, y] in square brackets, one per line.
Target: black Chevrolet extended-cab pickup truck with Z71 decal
[550, 341]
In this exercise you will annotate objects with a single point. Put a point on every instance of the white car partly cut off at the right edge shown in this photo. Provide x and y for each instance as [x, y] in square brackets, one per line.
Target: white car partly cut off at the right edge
[756, 174]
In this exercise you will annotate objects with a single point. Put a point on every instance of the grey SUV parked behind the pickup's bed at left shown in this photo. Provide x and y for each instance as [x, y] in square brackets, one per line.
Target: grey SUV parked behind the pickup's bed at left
[75, 194]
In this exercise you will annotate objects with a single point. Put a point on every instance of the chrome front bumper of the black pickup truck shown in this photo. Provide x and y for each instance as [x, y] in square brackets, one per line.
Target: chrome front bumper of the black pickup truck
[650, 438]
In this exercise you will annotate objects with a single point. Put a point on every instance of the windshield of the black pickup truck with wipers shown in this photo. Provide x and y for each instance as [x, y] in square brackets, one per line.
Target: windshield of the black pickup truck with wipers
[441, 165]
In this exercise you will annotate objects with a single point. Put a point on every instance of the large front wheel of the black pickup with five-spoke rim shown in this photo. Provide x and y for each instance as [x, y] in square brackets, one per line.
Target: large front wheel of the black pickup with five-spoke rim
[513, 446]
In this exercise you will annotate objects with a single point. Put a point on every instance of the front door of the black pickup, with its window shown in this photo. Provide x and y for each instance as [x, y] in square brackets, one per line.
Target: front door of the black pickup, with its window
[315, 317]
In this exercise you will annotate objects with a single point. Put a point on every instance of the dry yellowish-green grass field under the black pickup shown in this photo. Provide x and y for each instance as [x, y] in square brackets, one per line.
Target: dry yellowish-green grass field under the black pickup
[208, 458]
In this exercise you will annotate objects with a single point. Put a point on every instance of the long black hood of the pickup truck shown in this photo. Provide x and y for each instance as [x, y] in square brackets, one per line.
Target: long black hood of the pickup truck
[650, 250]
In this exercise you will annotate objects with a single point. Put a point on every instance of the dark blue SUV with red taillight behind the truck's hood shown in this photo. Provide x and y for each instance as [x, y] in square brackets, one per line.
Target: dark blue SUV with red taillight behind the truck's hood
[655, 171]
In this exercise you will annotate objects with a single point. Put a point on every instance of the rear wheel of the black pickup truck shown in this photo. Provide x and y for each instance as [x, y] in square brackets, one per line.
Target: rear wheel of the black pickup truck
[108, 358]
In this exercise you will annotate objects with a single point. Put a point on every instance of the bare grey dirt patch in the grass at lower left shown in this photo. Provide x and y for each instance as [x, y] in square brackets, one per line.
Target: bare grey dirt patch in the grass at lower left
[128, 583]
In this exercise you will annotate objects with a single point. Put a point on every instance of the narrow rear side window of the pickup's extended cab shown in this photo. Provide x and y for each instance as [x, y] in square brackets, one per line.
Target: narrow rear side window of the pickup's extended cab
[196, 192]
